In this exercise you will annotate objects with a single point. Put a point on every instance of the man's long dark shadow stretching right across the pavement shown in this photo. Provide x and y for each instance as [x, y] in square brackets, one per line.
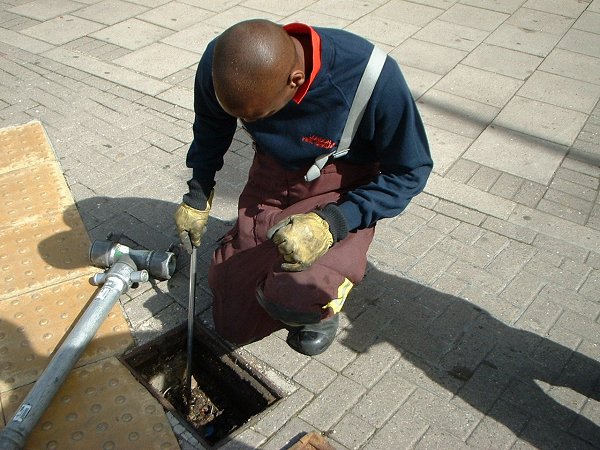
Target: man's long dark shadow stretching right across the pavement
[506, 373]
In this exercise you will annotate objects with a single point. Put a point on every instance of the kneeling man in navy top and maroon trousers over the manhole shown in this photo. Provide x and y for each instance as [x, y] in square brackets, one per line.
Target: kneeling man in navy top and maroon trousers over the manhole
[297, 247]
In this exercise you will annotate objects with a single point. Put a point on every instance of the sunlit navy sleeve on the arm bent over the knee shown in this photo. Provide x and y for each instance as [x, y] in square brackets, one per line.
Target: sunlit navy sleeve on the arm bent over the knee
[392, 127]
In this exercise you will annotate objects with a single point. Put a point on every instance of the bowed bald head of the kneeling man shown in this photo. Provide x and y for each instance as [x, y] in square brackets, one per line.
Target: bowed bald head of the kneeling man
[256, 66]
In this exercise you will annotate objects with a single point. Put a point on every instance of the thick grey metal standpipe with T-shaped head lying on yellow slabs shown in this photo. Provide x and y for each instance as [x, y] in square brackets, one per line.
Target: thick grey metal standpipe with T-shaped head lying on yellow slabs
[117, 280]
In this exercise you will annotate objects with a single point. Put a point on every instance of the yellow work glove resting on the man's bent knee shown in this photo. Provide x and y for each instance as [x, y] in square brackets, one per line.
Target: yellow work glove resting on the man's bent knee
[301, 239]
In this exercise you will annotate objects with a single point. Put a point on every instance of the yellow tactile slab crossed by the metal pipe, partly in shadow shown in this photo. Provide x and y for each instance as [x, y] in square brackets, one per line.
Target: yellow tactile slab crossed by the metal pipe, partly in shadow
[32, 326]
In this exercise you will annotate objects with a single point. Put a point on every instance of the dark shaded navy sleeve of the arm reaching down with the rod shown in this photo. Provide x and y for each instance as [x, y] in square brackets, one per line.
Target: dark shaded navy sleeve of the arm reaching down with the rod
[213, 131]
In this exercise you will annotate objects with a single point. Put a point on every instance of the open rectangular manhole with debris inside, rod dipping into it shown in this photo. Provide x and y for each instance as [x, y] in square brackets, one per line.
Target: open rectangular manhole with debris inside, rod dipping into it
[229, 392]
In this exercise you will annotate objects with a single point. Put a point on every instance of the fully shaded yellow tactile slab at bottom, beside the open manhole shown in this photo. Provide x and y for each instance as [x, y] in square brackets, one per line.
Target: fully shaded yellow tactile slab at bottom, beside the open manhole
[100, 406]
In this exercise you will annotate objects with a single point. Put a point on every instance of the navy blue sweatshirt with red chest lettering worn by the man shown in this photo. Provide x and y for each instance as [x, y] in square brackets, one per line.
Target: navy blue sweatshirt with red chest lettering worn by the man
[391, 131]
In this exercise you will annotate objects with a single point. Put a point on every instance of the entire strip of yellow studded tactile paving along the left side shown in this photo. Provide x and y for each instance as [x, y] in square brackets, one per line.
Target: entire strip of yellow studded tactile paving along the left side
[44, 287]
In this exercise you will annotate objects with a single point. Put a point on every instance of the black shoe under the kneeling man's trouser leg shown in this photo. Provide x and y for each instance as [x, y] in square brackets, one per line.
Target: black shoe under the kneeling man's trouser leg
[313, 338]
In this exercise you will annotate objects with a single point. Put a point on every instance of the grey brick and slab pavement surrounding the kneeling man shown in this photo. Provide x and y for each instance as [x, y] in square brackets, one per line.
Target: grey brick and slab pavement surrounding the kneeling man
[477, 325]
